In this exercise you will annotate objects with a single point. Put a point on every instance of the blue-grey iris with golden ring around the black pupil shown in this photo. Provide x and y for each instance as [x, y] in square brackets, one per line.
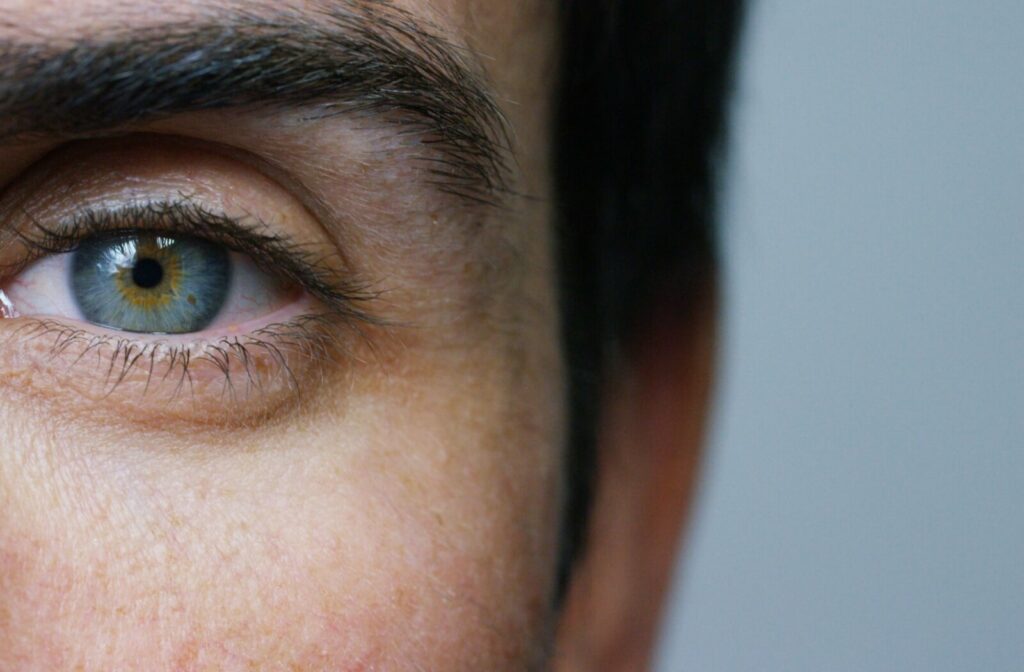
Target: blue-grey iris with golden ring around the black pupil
[151, 284]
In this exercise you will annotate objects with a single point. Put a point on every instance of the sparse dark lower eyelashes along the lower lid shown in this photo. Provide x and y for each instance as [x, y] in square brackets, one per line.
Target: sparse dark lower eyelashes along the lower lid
[271, 358]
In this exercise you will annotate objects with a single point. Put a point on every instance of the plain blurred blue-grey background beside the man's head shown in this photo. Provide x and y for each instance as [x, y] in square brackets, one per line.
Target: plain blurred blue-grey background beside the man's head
[864, 501]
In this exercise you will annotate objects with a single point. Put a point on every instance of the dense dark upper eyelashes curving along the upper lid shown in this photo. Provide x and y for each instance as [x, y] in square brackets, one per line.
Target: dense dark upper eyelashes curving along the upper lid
[272, 253]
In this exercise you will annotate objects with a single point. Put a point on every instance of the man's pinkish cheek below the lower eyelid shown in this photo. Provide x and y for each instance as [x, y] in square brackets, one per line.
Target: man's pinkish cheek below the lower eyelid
[357, 539]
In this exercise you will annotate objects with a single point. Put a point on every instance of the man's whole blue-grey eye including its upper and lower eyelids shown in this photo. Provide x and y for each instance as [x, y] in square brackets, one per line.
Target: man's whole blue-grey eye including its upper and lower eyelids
[169, 279]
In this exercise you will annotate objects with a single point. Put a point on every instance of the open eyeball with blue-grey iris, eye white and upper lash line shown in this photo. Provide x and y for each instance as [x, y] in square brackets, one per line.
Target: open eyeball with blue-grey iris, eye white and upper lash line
[140, 272]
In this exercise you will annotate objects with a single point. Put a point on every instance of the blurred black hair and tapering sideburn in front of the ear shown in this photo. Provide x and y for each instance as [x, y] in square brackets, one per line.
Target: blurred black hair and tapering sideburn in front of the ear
[638, 128]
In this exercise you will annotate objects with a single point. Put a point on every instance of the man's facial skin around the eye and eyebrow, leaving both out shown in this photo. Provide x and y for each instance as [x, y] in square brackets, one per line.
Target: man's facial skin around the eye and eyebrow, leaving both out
[385, 499]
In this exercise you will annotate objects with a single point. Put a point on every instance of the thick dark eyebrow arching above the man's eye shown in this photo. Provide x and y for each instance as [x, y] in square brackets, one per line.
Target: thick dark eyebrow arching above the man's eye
[367, 59]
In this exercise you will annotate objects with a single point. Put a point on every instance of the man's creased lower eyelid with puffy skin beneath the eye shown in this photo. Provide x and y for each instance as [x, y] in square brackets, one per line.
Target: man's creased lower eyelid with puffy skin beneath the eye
[210, 379]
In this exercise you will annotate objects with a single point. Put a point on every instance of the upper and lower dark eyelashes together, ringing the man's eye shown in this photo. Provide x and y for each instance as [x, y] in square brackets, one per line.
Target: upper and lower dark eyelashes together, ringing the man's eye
[314, 337]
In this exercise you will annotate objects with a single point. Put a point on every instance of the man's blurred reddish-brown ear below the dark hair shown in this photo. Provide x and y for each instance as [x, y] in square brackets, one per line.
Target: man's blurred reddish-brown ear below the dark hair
[650, 448]
